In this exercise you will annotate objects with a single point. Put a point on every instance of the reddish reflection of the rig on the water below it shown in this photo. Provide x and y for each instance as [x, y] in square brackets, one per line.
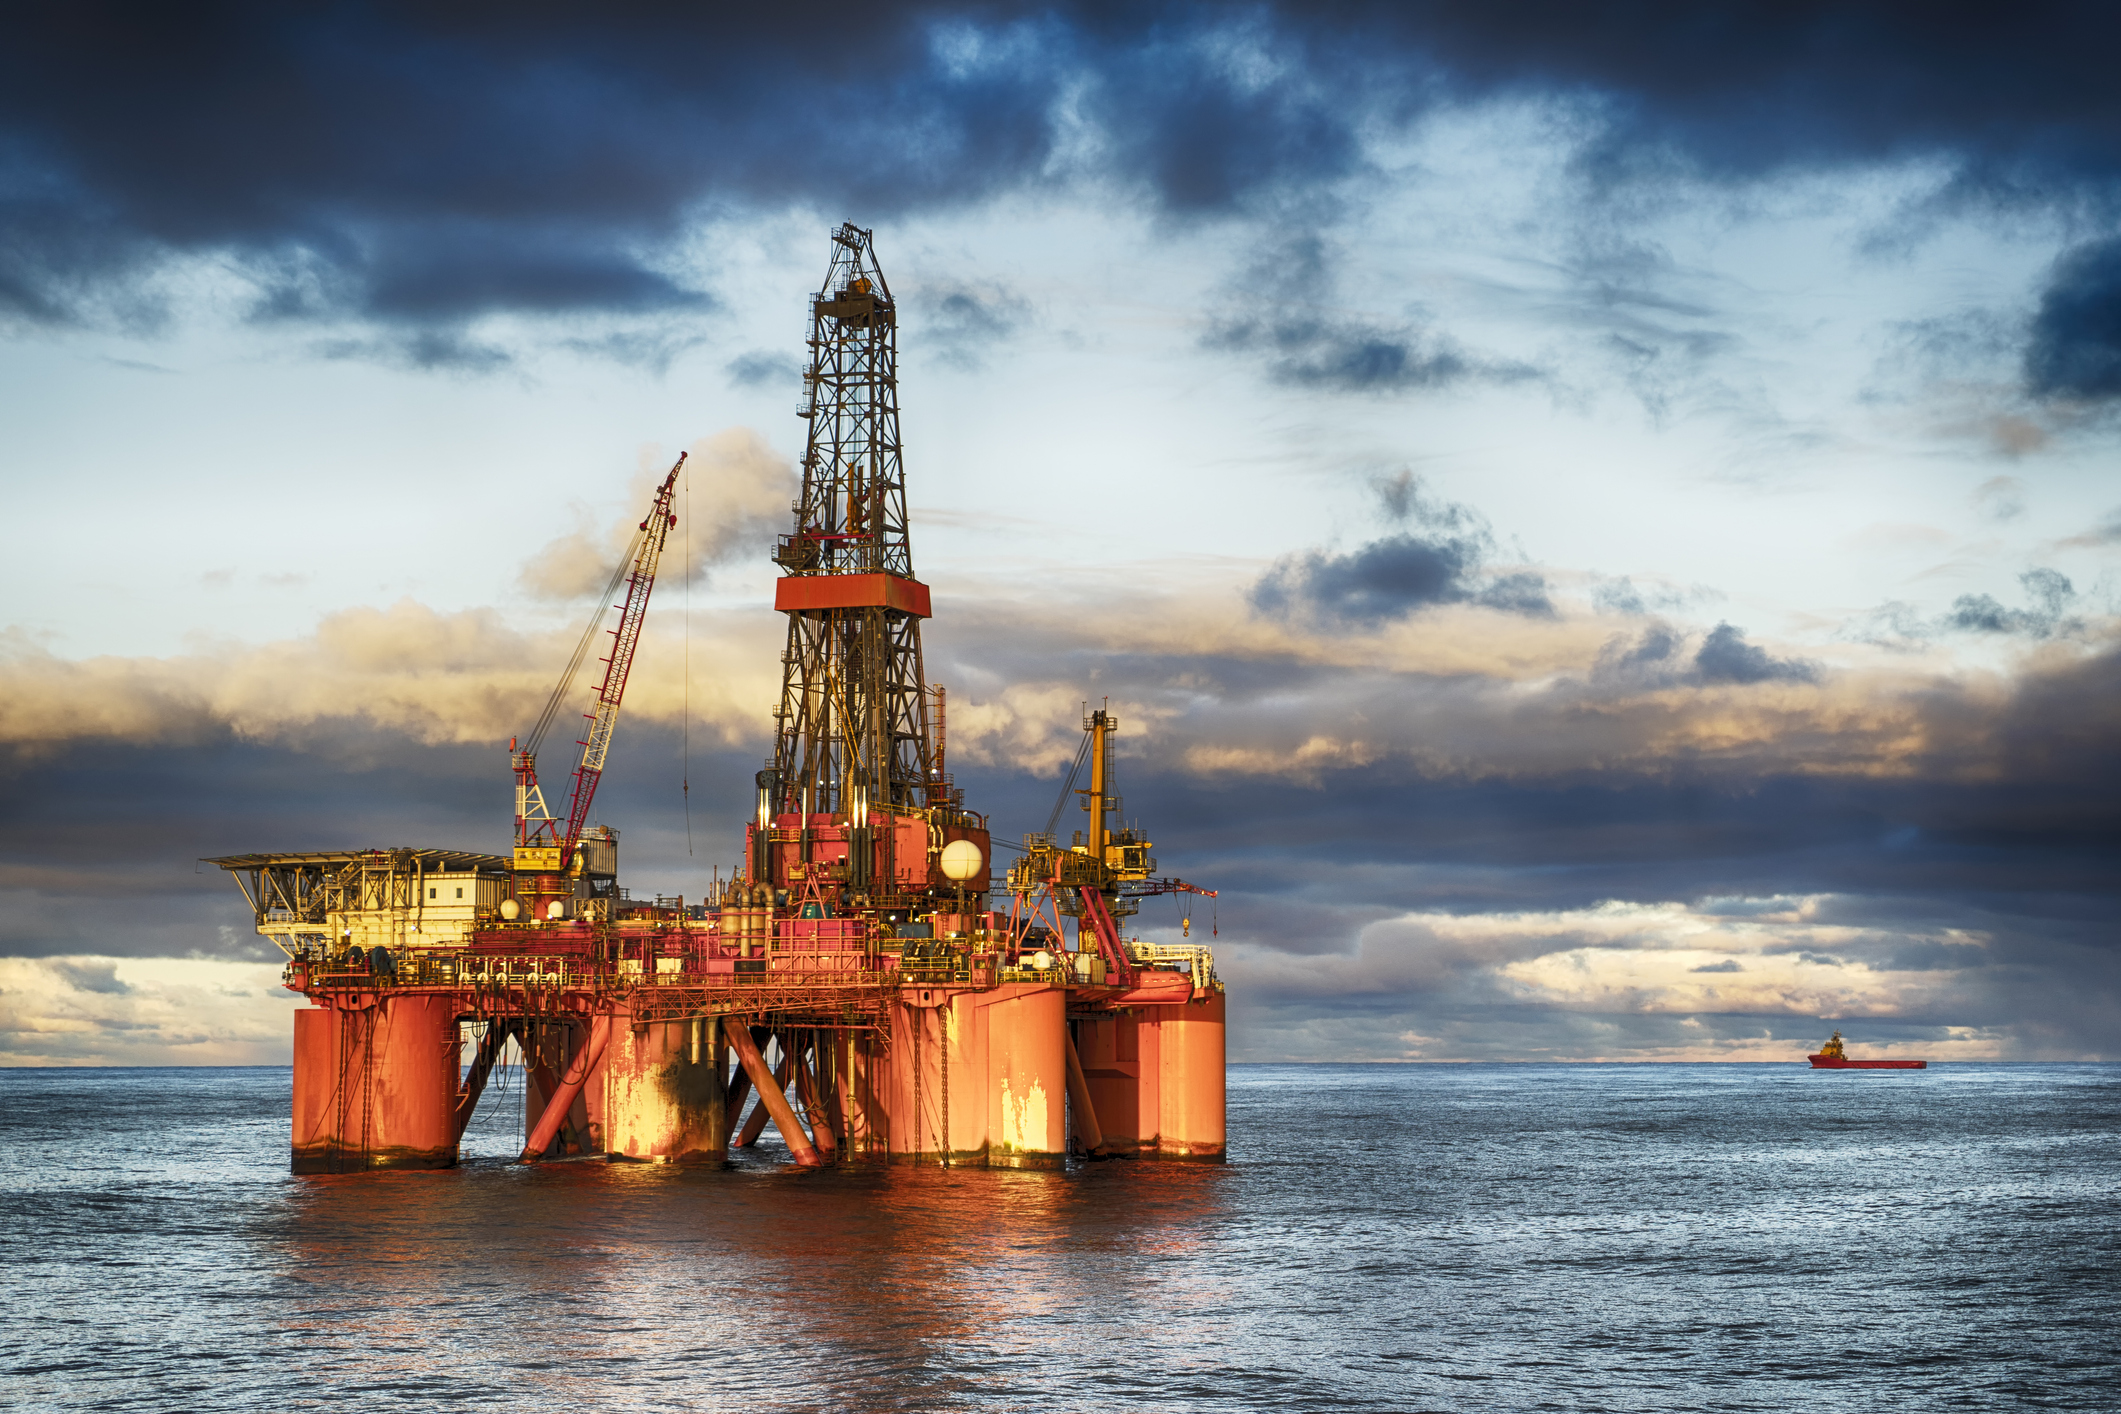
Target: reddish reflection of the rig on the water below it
[873, 1282]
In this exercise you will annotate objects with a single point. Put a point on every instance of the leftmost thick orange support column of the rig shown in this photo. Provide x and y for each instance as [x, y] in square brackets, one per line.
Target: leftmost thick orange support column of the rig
[376, 1089]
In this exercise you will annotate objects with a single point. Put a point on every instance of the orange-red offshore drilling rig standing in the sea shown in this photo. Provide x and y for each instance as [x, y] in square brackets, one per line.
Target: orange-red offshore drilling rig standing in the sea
[860, 983]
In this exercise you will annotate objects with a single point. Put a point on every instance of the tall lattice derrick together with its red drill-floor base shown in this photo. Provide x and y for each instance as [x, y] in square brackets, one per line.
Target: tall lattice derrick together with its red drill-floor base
[852, 811]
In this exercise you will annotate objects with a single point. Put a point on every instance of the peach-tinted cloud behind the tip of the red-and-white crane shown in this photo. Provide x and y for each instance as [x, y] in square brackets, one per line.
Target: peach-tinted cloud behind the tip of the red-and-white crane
[739, 501]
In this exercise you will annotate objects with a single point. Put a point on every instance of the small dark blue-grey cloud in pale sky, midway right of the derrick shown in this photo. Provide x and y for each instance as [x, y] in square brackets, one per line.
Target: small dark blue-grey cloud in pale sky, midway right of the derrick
[1445, 563]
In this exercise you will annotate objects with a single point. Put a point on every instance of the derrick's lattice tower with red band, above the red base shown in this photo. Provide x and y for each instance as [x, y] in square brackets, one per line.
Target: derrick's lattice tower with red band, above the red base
[854, 724]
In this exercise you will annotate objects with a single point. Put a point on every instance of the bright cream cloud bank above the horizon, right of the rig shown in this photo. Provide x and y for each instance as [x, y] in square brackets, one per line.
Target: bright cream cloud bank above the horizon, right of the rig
[1645, 983]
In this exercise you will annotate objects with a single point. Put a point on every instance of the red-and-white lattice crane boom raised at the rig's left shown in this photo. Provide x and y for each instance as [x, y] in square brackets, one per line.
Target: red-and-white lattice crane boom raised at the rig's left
[536, 826]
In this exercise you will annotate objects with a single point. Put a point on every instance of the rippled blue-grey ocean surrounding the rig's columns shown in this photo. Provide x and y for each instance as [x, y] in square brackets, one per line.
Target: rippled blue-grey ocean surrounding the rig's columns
[1488, 1237]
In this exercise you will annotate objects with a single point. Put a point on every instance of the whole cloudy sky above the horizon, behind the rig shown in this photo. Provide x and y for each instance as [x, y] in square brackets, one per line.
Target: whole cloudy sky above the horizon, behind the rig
[1598, 520]
